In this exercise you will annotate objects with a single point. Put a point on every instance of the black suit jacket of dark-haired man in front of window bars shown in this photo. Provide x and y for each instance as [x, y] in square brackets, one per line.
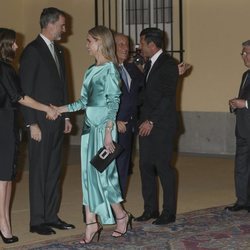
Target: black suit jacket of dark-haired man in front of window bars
[159, 95]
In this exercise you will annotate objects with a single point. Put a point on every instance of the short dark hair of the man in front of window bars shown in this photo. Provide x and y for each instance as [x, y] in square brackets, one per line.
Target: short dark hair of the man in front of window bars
[154, 35]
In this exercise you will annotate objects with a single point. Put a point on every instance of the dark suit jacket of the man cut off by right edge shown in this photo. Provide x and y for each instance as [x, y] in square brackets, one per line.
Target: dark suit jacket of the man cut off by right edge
[243, 115]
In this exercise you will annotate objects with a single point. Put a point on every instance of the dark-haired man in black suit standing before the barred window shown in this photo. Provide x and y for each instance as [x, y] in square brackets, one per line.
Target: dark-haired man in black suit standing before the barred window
[158, 122]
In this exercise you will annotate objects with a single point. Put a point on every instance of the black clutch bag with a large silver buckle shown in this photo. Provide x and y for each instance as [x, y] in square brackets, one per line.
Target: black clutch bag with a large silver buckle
[103, 158]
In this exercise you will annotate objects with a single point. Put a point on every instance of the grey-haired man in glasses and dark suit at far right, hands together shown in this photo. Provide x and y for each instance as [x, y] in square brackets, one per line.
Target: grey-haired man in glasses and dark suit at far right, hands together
[241, 107]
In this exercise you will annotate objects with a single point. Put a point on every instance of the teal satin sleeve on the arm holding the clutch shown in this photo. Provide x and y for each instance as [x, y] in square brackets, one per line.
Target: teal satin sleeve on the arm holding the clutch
[113, 94]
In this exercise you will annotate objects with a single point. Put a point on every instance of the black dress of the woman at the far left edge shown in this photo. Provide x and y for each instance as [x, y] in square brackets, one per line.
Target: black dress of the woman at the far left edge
[10, 94]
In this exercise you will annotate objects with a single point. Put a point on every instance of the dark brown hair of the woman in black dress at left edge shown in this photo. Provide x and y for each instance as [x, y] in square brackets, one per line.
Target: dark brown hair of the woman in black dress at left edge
[7, 39]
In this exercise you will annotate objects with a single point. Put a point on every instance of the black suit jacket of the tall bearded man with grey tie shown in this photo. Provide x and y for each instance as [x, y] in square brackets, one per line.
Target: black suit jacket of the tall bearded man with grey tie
[40, 78]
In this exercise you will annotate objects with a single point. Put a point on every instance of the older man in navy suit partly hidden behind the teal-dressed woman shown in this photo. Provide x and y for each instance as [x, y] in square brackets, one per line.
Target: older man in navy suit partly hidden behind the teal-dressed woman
[132, 82]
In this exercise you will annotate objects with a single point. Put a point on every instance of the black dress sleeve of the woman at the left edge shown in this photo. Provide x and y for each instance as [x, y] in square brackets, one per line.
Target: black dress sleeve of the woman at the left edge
[11, 83]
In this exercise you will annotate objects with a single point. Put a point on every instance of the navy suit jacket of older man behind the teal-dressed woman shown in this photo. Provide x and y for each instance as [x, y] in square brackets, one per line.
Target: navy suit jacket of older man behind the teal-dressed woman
[129, 99]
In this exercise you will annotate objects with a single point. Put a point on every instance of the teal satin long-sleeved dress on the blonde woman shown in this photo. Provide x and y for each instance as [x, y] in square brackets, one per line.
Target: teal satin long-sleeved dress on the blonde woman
[100, 97]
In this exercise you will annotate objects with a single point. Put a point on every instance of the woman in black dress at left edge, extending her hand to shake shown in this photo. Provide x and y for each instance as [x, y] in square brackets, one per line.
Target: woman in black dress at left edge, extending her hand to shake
[10, 95]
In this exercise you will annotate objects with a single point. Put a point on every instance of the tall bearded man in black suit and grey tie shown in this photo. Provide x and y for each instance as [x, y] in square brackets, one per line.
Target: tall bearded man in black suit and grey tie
[42, 73]
